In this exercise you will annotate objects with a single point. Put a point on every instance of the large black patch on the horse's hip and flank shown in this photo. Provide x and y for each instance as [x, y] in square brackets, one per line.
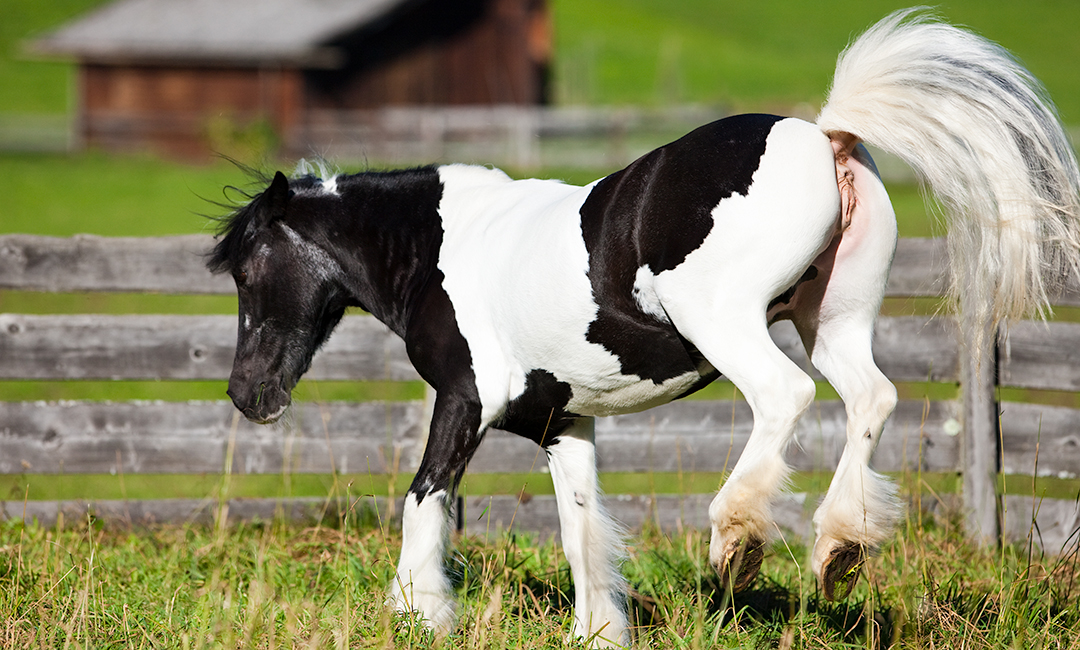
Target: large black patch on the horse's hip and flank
[655, 213]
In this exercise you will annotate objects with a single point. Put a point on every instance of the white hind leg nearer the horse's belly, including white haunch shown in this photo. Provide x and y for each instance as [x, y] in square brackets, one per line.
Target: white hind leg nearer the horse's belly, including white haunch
[718, 299]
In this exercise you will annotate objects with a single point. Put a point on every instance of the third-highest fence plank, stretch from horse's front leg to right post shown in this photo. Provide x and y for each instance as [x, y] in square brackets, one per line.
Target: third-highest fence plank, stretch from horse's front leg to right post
[709, 437]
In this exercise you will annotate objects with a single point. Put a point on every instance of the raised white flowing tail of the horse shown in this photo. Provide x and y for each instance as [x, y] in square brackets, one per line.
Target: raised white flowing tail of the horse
[979, 130]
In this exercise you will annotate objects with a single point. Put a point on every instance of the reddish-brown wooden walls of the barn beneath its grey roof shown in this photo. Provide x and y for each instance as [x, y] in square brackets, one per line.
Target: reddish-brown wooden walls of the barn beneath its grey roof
[443, 53]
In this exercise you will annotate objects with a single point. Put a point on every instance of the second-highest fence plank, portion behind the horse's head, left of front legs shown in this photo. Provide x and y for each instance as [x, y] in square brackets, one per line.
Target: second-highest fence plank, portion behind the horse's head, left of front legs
[178, 347]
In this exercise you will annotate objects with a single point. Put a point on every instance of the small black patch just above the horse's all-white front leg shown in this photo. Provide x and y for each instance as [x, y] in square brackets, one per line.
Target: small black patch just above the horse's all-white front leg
[539, 413]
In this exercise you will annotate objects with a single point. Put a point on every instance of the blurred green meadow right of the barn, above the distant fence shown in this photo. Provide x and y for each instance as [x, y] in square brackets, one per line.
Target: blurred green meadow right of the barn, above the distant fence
[772, 53]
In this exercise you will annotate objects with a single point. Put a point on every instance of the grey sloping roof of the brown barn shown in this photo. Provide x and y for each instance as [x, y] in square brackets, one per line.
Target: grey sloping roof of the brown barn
[286, 32]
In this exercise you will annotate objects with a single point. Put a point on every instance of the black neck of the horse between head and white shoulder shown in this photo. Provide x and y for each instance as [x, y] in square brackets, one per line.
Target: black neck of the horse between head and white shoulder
[393, 242]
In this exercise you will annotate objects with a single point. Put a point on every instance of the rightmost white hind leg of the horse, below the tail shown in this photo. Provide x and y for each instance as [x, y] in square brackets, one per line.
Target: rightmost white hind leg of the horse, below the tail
[835, 318]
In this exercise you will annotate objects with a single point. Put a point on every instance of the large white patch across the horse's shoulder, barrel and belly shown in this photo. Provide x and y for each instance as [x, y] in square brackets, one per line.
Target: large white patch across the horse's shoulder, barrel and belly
[516, 268]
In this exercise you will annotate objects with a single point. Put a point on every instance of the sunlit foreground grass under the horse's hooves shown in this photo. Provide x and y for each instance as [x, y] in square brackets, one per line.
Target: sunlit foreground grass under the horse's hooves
[321, 585]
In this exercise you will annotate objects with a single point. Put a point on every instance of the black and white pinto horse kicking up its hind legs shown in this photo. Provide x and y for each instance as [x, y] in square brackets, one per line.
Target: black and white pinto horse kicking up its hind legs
[534, 306]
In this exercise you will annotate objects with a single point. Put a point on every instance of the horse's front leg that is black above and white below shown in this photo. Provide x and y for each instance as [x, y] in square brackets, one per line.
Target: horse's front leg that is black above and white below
[422, 585]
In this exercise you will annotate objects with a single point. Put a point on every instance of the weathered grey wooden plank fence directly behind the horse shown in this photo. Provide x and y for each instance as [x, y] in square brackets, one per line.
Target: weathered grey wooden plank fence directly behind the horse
[691, 439]
